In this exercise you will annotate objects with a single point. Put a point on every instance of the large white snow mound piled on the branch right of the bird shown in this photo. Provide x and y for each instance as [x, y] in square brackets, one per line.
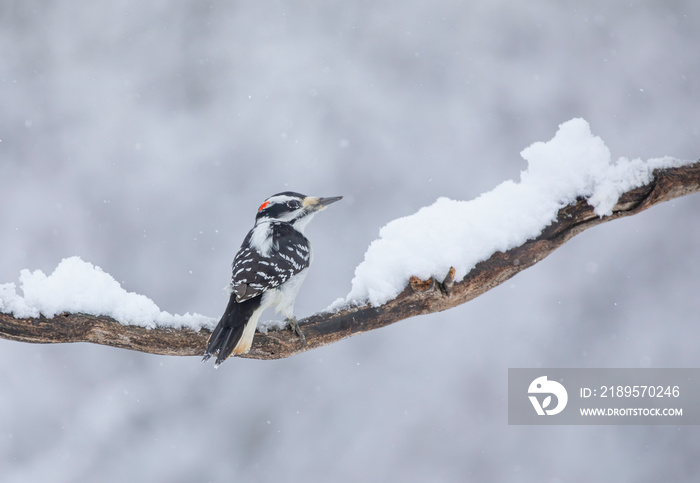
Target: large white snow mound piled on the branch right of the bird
[459, 234]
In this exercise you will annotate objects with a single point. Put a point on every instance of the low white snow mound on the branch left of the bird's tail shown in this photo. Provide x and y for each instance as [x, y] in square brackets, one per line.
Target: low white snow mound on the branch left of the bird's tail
[76, 286]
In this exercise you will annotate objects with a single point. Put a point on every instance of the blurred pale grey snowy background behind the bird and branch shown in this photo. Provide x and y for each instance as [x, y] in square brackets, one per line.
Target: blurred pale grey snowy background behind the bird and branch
[143, 136]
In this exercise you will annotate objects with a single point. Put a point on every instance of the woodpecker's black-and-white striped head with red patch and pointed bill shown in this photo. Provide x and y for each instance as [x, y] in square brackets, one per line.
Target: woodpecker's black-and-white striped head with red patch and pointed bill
[293, 208]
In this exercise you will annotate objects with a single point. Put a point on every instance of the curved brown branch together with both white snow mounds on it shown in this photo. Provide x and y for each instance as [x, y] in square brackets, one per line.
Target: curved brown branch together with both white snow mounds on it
[442, 256]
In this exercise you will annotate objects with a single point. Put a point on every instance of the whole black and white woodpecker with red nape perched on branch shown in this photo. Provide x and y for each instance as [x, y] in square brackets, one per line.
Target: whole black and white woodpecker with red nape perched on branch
[268, 271]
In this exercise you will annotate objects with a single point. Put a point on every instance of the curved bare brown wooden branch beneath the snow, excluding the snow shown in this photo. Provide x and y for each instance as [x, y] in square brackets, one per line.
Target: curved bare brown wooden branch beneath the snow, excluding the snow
[418, 298]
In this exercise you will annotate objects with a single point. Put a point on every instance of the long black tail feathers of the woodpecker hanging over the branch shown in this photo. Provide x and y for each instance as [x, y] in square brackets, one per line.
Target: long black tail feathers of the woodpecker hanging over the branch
[230, 330]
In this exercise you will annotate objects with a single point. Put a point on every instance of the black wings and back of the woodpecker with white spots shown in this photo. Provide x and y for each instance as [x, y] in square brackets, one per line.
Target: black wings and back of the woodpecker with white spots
[255, 272]
